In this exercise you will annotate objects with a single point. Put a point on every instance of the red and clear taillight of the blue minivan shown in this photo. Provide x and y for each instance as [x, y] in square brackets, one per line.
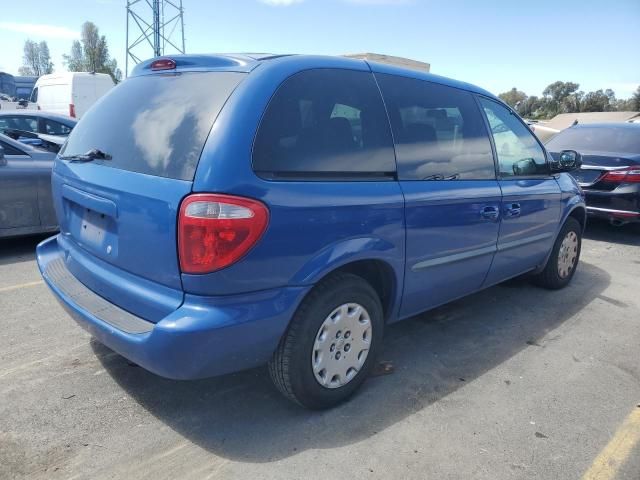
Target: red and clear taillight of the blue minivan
[215, 231]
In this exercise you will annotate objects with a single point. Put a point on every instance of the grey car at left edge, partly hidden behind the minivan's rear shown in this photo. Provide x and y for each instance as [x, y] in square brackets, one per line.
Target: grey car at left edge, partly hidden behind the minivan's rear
[26, 206]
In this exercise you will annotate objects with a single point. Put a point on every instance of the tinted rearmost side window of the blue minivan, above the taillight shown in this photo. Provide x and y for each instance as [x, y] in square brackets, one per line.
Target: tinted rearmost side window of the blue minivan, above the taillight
[325, 123]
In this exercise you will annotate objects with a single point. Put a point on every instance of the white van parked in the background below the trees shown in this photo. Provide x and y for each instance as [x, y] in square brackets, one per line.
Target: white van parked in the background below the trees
[70, 93]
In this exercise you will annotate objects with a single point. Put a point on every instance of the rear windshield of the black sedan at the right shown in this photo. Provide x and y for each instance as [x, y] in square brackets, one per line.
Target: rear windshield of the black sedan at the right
[597, 139]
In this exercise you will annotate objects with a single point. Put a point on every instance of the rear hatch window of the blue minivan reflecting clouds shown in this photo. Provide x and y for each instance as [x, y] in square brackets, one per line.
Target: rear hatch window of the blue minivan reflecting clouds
[154, 124]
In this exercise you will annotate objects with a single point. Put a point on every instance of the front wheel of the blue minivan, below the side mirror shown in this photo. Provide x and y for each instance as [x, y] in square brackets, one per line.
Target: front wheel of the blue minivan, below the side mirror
[564, 257]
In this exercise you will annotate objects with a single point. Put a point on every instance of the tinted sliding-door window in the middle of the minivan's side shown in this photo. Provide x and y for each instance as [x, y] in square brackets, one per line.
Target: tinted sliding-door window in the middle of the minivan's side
[438, 130]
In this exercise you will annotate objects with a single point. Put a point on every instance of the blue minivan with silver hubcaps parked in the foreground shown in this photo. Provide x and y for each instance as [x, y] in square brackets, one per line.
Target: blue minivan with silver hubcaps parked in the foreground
[221, 212]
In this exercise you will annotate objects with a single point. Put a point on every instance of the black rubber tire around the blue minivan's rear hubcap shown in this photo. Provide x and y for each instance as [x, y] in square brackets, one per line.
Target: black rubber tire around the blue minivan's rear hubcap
[290, 367]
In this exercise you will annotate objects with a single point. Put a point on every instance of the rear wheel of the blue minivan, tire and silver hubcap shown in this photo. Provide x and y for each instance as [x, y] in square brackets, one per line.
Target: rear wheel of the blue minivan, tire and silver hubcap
[331, 344]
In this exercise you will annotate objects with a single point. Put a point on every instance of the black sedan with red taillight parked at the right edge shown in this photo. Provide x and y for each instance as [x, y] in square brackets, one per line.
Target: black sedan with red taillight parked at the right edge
[610, 174]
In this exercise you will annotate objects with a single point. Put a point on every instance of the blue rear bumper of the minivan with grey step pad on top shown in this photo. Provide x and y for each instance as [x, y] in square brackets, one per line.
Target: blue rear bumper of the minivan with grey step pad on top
[204, 337]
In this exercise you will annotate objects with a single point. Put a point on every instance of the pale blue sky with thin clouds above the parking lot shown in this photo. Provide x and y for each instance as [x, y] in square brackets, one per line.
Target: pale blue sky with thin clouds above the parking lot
[495, 44]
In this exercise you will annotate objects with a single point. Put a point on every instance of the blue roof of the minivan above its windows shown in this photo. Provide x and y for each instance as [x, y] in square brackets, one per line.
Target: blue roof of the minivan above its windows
[247, 62]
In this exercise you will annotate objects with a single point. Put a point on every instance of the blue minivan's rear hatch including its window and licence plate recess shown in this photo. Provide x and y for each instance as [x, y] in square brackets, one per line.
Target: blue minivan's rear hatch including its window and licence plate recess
[119, 180]
